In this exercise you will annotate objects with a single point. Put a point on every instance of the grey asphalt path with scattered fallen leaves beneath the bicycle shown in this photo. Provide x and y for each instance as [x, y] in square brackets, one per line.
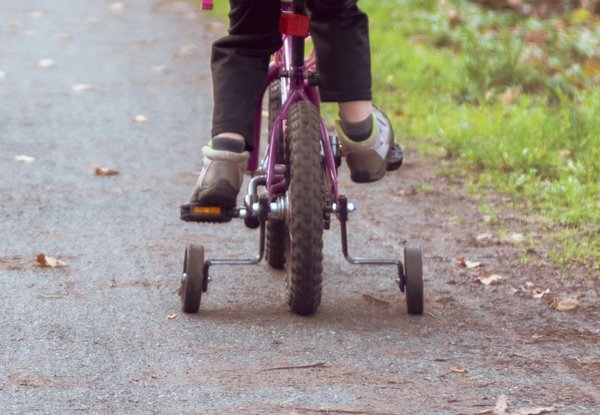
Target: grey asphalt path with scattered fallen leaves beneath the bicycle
[104, 334]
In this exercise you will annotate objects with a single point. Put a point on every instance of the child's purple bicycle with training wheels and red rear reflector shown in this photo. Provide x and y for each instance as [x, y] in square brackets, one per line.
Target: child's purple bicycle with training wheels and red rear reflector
[299, 176]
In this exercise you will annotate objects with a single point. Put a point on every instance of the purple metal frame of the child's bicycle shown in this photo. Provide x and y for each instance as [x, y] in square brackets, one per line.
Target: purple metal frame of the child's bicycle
[299, 90]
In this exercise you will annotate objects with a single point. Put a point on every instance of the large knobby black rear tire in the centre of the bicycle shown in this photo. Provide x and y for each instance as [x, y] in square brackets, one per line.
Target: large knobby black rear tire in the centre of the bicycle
[304, 259]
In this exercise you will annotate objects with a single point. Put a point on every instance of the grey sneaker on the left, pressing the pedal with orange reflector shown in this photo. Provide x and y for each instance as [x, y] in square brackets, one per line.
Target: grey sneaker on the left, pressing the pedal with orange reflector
[221, 178]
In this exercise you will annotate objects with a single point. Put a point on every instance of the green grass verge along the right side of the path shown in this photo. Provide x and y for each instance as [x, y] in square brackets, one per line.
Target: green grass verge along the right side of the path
[512, 101]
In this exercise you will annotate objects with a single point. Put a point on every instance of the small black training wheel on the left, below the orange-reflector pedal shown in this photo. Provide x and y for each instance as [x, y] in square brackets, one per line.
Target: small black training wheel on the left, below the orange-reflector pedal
[193, 278]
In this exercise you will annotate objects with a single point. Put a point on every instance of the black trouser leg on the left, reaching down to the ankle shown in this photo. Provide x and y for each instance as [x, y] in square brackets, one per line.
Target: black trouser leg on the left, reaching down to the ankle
[239, 64]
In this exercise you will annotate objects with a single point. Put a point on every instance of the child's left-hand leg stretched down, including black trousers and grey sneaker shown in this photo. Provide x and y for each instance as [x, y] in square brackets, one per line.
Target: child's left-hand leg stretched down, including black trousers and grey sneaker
[239, 66]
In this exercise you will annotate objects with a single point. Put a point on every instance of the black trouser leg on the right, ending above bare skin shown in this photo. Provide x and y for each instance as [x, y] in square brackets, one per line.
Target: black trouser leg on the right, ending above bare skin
[340, 31]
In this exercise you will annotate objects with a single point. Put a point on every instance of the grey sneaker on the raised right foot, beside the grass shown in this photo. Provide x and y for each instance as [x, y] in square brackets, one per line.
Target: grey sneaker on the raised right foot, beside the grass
[368, 159]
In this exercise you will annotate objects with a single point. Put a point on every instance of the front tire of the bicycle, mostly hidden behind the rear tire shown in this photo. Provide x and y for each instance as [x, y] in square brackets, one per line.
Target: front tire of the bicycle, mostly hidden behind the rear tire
[276, 229]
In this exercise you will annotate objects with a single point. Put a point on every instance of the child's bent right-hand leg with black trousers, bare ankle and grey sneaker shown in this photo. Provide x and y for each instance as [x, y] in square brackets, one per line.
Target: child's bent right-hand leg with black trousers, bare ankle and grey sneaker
[341, 36]
